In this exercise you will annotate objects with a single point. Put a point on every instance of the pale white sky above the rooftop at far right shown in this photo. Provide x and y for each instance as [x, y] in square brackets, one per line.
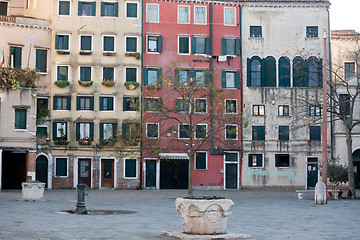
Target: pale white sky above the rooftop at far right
[345, 14]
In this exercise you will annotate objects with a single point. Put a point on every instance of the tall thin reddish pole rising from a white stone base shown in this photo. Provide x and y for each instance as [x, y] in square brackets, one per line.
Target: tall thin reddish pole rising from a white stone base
[324, 130]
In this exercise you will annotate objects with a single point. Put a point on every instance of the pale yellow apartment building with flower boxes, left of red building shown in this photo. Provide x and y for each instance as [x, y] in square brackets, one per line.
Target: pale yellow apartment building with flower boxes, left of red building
[95, 93]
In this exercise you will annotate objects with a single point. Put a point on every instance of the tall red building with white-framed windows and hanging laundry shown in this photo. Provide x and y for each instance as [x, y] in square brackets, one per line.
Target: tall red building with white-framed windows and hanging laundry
[202, 38]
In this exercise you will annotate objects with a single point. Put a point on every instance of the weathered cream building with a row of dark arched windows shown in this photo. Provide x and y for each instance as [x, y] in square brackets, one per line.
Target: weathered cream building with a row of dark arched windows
[283, 54]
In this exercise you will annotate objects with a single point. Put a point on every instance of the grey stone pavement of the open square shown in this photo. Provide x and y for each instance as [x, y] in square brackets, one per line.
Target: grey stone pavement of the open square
[263, 214]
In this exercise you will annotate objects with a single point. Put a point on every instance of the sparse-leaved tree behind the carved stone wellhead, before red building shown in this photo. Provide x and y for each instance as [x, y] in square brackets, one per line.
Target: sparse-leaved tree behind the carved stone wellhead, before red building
[190, 113]
